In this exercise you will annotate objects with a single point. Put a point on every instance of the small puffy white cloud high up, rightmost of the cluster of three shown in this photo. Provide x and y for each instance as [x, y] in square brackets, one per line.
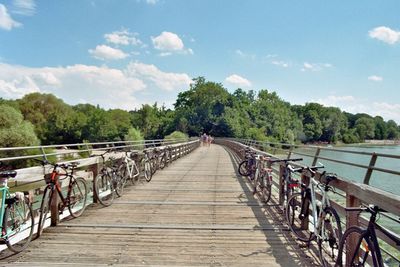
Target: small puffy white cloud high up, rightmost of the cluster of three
[168, 42]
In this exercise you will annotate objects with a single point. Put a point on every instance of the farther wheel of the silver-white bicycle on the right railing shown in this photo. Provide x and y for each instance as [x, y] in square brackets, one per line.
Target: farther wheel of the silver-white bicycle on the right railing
[298, 225]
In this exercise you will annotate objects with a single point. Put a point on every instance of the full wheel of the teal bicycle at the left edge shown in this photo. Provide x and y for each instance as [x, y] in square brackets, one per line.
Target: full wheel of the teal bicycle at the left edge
[18, 224]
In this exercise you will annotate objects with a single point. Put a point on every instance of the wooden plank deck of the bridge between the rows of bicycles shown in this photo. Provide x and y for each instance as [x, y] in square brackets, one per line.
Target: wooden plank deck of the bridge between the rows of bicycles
[196, 212]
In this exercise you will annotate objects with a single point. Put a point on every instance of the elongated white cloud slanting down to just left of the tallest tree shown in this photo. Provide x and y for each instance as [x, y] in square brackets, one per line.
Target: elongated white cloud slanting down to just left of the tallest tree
[164, 80]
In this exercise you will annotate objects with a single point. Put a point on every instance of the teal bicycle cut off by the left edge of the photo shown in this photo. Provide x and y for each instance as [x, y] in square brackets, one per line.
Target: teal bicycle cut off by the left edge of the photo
[16, 216]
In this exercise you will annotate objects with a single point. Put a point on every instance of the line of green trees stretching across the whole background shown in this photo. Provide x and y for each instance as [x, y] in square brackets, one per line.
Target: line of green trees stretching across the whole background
[205, 107]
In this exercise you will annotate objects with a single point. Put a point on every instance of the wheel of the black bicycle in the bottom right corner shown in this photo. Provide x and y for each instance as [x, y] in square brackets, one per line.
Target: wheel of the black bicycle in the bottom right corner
[359, 235]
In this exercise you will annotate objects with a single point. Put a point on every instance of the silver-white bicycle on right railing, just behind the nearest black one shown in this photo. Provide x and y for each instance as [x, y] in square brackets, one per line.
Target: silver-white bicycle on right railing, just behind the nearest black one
[324, 225]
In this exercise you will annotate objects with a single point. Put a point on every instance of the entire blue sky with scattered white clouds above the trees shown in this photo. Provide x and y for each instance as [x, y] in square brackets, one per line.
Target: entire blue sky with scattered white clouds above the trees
[126, 53]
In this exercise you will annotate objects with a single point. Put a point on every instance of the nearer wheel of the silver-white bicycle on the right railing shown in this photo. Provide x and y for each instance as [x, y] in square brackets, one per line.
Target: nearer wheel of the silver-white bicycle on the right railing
[330, 233]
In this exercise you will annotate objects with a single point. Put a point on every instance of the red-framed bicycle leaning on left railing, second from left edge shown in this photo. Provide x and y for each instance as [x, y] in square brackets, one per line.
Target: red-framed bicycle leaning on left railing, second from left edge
[76, 195]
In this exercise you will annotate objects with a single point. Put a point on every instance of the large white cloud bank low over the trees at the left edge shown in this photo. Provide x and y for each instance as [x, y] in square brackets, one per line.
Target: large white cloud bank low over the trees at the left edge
[110, 88]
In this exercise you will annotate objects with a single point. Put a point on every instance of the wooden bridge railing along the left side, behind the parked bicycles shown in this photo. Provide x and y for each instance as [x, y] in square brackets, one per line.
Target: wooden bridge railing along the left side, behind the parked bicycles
[30, 174]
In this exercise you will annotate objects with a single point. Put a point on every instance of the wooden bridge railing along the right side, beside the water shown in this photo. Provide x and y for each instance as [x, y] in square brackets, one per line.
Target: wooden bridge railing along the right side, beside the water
[348, 192]
